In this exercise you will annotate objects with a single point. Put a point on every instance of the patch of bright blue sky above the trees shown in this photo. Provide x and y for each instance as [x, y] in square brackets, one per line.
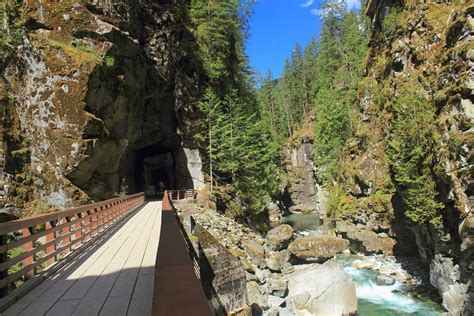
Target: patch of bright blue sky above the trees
[275, 28]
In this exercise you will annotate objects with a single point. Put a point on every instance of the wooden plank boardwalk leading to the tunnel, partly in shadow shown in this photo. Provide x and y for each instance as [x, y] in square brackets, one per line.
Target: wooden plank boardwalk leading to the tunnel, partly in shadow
[112, 277]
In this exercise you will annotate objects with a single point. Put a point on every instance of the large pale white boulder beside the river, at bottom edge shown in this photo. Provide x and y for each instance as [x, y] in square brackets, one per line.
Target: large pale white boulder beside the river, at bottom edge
[322, 289]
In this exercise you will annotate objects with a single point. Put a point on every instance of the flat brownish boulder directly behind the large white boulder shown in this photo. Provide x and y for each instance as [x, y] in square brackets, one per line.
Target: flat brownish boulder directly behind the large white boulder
[317, 248]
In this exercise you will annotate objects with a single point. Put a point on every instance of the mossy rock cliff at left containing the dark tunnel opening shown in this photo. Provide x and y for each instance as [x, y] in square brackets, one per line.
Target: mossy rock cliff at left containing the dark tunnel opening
[103, 101]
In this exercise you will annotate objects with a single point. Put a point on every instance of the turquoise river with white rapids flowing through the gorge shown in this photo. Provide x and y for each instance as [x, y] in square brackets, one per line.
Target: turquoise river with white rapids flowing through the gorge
[373, 300]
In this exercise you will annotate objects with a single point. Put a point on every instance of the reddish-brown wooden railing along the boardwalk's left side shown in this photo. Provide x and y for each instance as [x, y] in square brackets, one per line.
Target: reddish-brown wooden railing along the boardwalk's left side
[33, 246]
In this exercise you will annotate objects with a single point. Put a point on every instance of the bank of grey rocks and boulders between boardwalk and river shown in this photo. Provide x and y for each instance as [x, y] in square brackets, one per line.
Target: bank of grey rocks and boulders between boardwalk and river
[286, 273]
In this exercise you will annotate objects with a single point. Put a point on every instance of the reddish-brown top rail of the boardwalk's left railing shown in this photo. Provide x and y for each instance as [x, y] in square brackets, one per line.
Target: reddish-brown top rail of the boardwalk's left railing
[15, 225]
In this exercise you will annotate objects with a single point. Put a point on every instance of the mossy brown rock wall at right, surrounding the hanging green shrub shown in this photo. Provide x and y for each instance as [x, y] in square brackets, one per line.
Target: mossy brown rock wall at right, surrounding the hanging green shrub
[431, 43]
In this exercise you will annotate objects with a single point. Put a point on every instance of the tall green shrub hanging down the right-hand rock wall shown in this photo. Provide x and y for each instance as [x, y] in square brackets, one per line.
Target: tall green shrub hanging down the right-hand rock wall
[410, 151]
